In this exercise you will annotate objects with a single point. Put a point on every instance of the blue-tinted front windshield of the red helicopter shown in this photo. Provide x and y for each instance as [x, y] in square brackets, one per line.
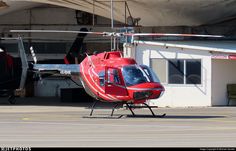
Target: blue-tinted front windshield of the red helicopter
[134, 75]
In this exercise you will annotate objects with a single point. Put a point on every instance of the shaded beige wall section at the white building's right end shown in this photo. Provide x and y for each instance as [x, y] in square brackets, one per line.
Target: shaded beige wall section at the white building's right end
[223, 72]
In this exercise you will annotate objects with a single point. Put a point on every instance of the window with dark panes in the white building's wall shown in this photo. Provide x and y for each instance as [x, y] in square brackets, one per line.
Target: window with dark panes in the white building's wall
[178, 71]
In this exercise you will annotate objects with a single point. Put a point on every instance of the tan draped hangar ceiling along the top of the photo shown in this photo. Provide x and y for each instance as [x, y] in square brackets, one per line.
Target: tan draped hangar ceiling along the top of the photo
[151, 12]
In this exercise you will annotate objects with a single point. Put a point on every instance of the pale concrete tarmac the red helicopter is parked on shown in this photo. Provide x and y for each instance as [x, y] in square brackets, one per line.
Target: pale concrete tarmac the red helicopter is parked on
[50, 123]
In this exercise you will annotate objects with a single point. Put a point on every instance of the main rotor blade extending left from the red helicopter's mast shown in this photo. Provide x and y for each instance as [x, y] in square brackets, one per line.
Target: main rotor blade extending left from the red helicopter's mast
[56, 31]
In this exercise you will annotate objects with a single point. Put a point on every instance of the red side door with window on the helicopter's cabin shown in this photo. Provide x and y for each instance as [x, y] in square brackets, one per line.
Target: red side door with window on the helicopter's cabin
[113, 82]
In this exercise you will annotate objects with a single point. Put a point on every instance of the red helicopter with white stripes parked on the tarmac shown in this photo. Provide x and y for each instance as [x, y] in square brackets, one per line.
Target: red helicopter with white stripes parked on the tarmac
[108, 76]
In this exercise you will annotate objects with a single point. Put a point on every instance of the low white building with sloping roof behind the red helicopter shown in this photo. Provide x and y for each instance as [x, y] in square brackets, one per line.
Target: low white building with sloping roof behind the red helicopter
[194, 73]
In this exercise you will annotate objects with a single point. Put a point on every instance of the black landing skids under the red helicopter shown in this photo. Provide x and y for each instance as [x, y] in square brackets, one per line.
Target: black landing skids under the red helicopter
[153, 115]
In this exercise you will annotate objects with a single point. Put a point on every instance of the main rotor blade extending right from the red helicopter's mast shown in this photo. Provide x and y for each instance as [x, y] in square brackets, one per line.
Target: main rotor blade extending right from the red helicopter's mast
[174, 35]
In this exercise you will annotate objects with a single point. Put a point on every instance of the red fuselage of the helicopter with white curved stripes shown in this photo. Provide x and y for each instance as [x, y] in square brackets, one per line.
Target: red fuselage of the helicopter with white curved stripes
[111, 78]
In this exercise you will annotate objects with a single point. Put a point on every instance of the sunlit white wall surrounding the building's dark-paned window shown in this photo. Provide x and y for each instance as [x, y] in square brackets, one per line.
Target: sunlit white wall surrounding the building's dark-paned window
[179, 95]
